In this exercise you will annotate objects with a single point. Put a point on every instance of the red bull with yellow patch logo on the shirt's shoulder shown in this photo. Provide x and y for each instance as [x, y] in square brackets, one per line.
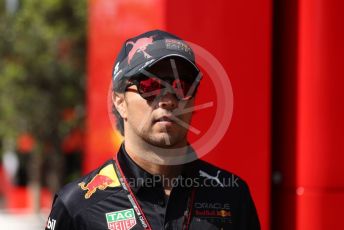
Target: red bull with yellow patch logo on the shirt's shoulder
[107, 177]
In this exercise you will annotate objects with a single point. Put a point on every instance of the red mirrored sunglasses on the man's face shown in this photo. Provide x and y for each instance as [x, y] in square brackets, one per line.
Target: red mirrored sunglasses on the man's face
[151, 87]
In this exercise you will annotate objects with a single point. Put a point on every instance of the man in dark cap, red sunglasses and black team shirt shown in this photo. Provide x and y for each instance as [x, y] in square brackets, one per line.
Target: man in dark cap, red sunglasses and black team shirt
[155, 180]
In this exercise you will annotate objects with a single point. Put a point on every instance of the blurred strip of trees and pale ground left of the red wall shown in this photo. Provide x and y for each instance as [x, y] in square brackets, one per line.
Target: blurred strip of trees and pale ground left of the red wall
[42, 104]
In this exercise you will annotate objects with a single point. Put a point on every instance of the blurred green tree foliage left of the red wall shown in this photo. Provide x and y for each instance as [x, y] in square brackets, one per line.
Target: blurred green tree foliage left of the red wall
[42, 66]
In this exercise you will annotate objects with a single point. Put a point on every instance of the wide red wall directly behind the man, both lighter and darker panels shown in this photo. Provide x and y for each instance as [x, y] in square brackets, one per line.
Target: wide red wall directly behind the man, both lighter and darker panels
[237, 33]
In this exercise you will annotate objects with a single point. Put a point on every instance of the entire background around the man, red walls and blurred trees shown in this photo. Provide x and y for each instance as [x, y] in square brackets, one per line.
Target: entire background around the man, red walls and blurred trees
[285, 63]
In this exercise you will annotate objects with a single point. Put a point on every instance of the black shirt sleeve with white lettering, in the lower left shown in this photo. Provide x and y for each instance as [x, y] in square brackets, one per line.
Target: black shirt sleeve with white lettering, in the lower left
[59, 218]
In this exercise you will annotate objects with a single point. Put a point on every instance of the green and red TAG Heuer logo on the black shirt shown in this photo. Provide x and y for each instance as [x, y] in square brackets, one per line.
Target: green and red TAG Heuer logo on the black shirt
[121, 220]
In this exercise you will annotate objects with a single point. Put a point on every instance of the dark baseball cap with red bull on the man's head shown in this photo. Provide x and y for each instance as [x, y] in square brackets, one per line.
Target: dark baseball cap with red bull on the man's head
[143, 51]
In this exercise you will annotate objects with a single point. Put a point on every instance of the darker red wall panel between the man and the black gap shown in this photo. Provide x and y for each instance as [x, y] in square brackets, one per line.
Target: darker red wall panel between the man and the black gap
[240, 38]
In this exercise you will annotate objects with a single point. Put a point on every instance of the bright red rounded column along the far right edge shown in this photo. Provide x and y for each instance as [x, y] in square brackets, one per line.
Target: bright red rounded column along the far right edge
[320, 148]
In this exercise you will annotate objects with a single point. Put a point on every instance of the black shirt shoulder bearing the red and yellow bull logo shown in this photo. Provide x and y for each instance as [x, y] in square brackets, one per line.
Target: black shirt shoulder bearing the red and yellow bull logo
[89, 189]
